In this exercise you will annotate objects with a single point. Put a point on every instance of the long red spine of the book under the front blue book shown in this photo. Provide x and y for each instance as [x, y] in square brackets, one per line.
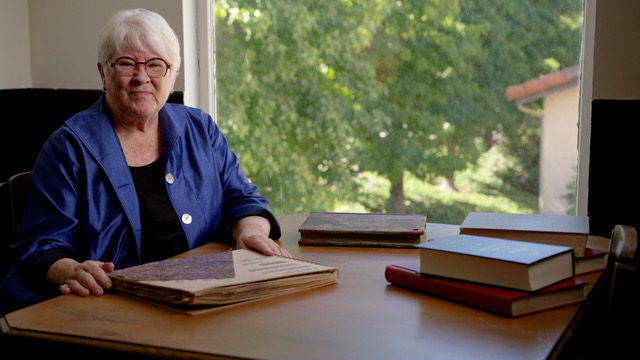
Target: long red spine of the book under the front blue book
[454, 291]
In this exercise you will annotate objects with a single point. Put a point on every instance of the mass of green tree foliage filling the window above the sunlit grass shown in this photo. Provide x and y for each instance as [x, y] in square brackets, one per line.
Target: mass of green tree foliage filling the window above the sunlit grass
[311, 93]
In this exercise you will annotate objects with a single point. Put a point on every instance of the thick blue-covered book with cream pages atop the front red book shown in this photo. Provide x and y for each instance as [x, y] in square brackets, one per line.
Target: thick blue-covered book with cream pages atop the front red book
[511, 264]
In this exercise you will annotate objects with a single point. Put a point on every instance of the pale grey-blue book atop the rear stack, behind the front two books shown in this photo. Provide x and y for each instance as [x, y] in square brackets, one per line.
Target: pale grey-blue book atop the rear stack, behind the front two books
[562, 230]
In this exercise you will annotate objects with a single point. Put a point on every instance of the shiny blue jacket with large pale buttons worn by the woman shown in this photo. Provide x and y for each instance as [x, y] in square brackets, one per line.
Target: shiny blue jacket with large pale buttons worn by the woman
[82, 198]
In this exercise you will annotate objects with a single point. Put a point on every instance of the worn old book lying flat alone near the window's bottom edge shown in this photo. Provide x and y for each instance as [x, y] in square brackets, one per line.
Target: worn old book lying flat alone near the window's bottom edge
[363, 229]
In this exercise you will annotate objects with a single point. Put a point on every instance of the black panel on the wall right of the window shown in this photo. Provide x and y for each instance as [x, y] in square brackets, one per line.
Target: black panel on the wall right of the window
[614, 191]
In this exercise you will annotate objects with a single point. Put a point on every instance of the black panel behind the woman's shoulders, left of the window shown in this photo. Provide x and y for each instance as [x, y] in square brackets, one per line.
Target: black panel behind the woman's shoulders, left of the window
[29, 116]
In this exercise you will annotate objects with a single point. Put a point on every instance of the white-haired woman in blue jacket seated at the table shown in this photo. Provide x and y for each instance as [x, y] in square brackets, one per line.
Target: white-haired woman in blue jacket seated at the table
[132, 179]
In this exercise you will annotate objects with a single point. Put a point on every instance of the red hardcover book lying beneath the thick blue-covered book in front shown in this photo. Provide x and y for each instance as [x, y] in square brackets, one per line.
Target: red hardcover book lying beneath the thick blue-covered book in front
[507, 302]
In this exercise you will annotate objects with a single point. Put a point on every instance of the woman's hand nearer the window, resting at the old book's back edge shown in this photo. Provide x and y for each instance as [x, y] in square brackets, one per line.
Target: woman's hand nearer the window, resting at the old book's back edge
[253, 232]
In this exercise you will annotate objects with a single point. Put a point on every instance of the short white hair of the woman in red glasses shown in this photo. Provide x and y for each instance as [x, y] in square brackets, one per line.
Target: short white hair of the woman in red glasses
[139, 29]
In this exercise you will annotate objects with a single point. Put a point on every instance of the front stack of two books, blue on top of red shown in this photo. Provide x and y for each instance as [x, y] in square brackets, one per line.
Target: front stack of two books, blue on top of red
[508, 277]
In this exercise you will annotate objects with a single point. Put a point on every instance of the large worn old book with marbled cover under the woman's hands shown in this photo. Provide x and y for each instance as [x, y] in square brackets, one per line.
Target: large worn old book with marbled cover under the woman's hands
[220, 279]
